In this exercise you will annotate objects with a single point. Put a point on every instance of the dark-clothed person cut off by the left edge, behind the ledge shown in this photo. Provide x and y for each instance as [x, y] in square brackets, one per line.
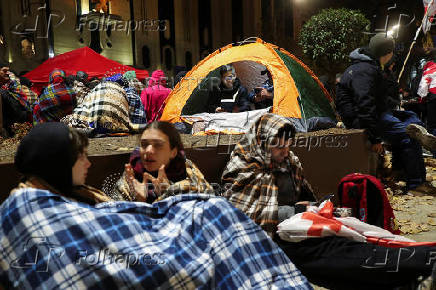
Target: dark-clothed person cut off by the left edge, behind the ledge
[15, 107]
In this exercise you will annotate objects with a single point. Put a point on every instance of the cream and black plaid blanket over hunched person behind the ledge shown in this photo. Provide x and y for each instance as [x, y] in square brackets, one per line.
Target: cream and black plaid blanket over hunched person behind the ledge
[105, 109]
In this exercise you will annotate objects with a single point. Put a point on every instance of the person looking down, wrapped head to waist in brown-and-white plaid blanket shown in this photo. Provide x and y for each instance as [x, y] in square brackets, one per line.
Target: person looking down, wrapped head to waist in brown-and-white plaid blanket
[258, 164]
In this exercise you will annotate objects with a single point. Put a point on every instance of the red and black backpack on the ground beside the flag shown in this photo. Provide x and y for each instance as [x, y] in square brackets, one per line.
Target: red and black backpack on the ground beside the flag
[366, 196]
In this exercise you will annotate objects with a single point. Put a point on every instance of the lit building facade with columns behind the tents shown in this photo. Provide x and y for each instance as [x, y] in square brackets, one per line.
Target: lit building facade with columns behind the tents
[148, 34]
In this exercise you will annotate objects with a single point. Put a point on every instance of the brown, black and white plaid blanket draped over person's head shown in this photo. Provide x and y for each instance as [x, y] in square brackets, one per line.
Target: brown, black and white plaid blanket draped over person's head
[250, 174]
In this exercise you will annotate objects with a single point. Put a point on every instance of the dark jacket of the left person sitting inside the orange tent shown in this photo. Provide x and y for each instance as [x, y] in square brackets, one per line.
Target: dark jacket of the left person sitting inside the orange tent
[220, 92]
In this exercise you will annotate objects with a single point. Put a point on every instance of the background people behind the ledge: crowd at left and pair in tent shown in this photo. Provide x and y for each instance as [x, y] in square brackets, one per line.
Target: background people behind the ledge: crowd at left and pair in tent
[72, 98]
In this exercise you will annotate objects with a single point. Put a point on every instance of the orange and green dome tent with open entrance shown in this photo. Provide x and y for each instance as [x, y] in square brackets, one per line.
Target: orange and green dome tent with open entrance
[298, 93]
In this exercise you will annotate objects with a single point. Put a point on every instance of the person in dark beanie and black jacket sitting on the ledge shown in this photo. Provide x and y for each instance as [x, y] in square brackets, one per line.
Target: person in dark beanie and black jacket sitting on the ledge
[362, 101]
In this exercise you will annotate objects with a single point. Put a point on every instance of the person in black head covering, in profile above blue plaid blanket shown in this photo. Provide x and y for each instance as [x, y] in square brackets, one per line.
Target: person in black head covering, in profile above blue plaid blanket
[54, 157]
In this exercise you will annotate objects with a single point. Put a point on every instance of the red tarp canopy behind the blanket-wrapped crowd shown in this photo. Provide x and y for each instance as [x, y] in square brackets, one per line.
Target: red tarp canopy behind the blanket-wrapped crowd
[81, 59]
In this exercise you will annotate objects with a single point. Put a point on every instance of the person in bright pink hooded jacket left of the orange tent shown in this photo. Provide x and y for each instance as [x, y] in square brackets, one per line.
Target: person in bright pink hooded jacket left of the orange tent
[154, 96]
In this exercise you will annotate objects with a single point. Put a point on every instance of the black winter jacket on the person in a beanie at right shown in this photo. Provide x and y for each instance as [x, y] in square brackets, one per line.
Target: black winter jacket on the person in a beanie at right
[361, 94]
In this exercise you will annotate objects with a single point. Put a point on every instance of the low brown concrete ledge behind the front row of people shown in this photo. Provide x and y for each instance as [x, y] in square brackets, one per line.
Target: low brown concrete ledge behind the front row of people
[326, 158]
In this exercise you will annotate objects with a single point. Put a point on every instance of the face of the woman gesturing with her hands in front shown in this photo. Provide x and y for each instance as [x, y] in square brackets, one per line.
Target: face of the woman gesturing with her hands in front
[155, 150]
